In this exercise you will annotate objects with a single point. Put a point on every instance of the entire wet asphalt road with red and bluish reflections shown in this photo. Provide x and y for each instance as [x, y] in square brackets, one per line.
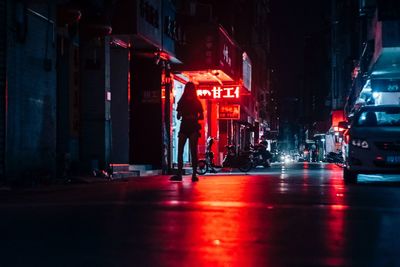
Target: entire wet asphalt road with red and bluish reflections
[296, 215]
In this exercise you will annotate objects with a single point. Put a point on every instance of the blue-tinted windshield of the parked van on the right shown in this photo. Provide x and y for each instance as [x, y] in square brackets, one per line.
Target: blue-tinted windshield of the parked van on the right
[379, 117]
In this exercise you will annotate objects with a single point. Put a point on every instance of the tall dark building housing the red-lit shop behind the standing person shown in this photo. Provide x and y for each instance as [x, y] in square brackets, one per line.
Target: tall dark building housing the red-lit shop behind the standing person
[245, 59]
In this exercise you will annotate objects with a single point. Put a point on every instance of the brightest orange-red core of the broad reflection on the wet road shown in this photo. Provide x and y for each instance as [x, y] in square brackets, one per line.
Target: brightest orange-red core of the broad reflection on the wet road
[222, 232]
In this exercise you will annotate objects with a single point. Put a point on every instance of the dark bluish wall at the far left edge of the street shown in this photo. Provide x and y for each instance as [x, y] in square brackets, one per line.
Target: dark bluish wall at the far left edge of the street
[28, 89]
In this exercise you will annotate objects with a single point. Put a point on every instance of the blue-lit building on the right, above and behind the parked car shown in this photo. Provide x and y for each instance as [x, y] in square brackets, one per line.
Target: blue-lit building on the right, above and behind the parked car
[365, 56]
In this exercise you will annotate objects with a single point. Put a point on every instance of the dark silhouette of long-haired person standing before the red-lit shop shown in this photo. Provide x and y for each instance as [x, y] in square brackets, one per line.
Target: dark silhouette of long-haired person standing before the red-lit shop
[190, 111]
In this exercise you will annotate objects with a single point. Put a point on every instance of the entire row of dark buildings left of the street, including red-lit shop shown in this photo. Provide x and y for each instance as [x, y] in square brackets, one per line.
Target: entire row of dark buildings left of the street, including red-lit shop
[89, 85]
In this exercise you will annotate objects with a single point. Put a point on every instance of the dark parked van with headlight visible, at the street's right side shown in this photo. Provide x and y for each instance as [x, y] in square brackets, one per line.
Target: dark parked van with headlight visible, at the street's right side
[372, 142]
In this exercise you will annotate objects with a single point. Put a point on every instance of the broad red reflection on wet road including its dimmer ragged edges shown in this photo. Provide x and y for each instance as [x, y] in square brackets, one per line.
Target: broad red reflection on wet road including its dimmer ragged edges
[225, 230]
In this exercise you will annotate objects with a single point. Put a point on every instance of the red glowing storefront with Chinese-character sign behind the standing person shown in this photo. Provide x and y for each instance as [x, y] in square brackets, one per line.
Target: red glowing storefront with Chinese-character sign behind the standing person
[222, 73]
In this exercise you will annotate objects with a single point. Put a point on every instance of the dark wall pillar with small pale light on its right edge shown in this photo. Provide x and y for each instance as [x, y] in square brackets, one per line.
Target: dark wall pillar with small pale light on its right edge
[95, 135]
